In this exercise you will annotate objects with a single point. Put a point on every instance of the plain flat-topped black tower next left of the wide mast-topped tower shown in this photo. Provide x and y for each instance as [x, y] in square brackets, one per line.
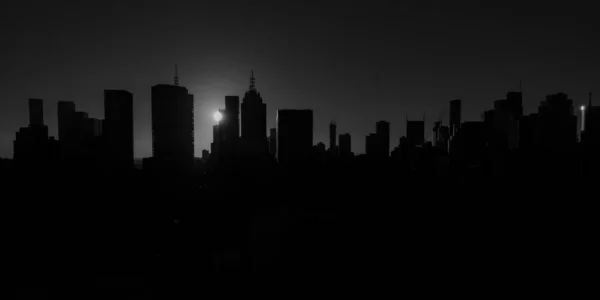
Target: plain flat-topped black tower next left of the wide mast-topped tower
[118, 127]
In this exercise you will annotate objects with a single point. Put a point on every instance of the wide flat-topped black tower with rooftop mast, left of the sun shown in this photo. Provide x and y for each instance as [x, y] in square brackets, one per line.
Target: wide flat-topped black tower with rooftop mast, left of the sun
[172, 127]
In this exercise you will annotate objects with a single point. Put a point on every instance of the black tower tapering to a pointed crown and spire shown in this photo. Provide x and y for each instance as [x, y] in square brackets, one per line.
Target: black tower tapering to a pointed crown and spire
[254, 121]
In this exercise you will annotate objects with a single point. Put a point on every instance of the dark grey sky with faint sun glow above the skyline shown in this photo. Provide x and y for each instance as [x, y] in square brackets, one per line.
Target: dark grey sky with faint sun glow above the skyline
[353, 63]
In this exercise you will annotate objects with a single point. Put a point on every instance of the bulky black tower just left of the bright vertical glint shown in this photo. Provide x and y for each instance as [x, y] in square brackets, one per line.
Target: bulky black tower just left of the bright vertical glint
[557, 124]
